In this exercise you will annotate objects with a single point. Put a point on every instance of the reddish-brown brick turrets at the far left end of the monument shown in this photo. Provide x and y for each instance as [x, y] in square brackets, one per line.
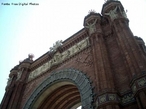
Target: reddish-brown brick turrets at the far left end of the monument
[16, 84]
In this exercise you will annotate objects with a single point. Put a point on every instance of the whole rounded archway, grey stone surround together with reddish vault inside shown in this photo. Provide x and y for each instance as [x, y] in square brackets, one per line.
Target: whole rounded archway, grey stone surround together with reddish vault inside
[65, 89]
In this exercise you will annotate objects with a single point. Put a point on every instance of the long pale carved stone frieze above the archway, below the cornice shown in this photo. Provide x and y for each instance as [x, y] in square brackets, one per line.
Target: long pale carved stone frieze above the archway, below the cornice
[59, 57]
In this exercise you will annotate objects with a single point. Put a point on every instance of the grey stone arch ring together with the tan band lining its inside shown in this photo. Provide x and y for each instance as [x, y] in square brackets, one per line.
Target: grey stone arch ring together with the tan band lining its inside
[61, 78]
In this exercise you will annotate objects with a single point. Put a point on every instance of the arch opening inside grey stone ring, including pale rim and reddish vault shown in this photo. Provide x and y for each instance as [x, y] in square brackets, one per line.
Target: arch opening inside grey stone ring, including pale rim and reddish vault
[62, 95]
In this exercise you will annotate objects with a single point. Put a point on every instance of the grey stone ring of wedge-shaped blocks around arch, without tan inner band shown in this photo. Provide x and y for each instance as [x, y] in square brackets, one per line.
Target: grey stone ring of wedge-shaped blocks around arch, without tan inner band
[81, 81]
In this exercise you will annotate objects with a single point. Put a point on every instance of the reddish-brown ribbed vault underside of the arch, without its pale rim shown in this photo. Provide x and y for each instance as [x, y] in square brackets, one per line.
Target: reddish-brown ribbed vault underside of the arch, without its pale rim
[64, 97]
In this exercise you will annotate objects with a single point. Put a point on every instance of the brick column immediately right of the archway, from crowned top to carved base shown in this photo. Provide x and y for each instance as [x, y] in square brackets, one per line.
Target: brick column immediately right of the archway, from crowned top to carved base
[102, 69]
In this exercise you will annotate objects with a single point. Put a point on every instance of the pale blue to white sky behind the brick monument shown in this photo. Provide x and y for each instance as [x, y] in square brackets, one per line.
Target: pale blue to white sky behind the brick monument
[34, 29]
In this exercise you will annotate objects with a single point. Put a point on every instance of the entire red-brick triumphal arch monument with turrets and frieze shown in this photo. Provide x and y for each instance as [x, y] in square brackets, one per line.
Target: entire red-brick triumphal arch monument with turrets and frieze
[102, 66]
